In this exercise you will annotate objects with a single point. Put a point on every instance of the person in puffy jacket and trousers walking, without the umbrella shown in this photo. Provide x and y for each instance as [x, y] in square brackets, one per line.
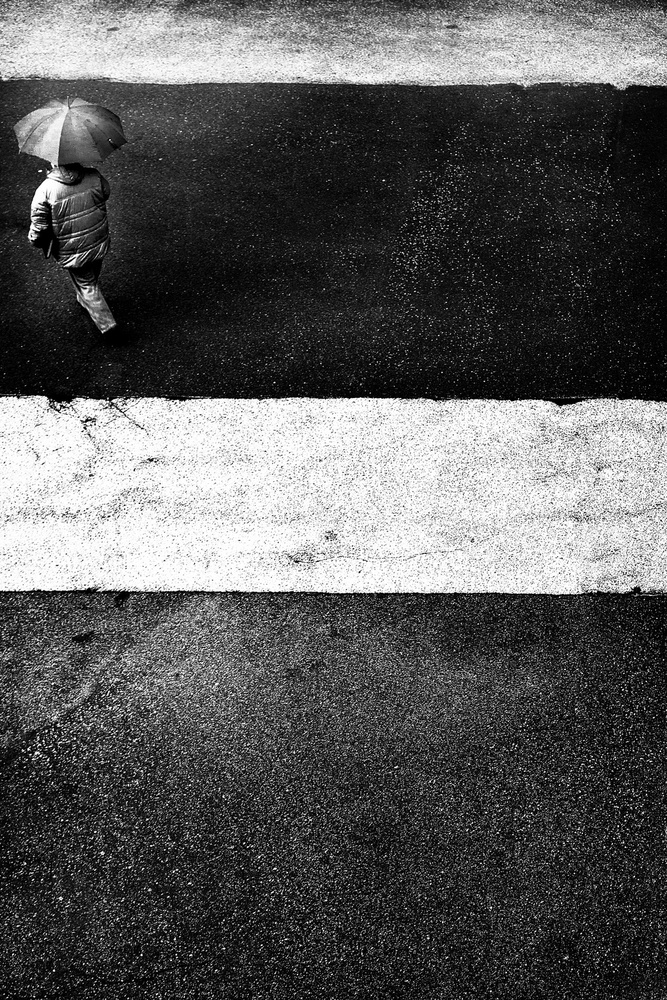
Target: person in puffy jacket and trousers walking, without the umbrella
[69, 214]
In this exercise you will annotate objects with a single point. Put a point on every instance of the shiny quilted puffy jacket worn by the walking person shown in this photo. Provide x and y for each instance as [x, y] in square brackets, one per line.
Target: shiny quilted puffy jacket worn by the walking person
[72, 203]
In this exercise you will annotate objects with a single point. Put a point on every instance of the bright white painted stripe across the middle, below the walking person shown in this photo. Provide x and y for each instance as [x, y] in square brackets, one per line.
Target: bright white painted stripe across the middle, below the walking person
[333, 495]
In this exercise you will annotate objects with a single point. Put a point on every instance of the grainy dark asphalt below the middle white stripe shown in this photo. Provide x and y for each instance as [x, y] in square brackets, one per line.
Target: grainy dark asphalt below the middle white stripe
[292, 796]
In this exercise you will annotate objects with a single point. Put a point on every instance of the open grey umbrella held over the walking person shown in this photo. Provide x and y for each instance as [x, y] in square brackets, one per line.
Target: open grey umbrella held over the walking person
[71, 131]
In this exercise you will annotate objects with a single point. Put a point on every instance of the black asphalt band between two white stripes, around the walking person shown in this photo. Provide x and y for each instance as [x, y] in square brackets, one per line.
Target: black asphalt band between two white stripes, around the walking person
[275, 240]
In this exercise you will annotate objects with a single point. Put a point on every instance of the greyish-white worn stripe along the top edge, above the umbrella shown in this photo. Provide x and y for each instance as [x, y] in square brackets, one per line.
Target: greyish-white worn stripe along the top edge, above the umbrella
[527, 43]
